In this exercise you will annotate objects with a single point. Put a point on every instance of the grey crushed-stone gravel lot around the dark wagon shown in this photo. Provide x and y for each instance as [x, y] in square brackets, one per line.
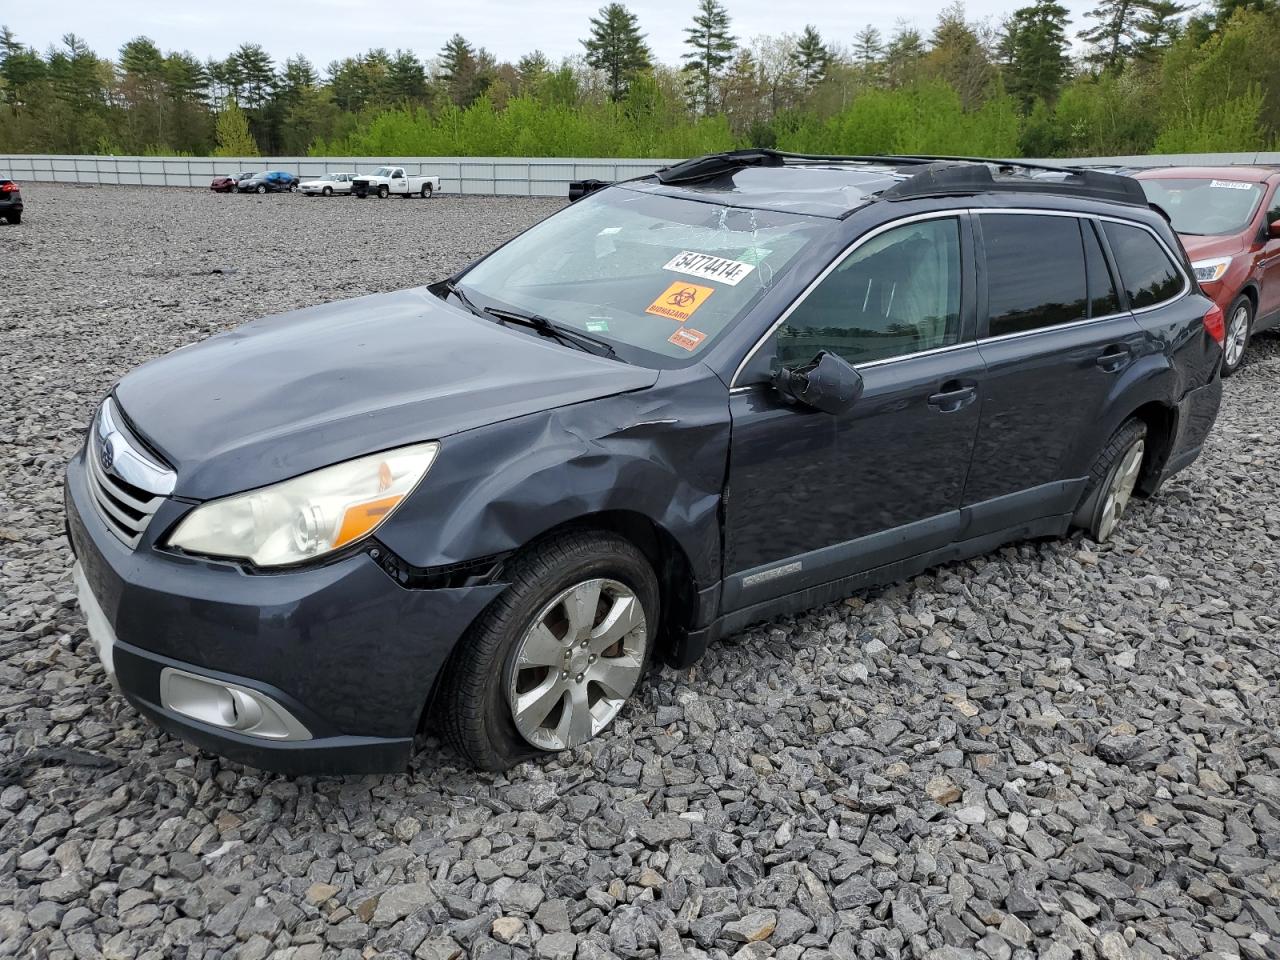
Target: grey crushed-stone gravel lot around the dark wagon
[1059, 751]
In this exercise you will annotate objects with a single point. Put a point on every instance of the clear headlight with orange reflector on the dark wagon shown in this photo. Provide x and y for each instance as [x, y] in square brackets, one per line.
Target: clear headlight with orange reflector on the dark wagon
[309, 515]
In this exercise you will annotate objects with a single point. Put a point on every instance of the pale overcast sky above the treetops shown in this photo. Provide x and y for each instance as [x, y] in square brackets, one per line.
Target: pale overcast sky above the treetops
[328, 30]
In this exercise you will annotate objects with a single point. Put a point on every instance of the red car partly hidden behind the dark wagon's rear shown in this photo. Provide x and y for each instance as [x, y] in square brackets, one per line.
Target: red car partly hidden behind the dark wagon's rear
[1229, 221]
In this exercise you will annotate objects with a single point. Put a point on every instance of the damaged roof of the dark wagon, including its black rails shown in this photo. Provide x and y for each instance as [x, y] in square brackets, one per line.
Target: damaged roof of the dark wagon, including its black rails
[835, 188]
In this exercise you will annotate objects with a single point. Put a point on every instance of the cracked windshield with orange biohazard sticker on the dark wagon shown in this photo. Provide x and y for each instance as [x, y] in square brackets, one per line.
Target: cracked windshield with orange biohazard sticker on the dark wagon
[657, 277]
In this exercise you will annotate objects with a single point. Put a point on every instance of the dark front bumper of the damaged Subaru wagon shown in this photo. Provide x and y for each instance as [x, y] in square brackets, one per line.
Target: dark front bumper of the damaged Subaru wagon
[348, 651]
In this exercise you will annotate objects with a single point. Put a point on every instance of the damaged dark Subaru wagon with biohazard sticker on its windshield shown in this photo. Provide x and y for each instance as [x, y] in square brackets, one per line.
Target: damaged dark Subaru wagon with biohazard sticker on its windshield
[746, 386]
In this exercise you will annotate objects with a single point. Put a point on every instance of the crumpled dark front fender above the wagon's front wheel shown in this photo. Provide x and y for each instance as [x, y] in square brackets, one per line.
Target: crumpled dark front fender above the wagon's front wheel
[660, 454]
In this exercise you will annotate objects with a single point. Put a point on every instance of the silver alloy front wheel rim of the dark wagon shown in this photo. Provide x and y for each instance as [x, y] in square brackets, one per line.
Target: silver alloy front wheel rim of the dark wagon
[578, 664]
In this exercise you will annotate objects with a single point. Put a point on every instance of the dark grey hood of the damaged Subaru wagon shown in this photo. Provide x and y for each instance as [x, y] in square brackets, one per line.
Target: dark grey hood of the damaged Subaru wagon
[287, 395]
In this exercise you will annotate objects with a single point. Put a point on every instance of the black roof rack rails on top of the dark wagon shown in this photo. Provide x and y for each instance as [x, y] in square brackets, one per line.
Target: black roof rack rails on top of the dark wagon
[939, 176]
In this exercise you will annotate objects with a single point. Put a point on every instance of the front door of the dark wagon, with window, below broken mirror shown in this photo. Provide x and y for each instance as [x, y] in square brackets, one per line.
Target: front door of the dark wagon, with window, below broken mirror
[815, 497]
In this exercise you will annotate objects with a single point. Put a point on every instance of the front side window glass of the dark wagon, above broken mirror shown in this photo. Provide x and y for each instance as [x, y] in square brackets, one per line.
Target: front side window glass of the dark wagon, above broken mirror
[898, 294]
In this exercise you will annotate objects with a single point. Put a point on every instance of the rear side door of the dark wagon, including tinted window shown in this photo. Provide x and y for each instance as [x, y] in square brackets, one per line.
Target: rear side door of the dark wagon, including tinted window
[1055, 339]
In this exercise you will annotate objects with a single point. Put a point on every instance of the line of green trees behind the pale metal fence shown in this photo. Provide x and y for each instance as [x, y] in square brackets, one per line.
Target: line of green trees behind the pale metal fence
[1154, 76]
